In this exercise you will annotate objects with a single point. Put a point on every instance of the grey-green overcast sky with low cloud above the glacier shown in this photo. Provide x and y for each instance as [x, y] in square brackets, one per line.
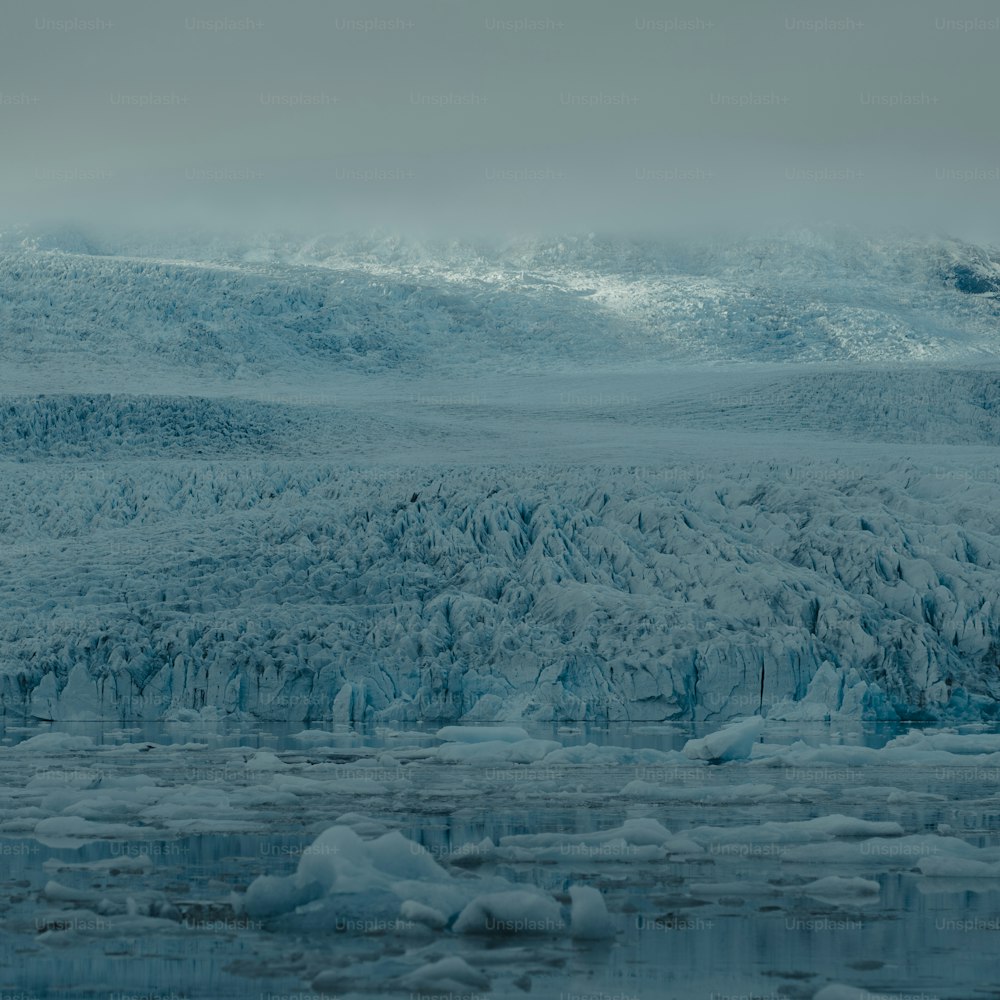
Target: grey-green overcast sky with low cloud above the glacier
[465, 116]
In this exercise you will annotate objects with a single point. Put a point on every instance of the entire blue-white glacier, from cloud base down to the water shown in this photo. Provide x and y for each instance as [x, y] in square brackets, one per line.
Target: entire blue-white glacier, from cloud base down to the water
[371, 478]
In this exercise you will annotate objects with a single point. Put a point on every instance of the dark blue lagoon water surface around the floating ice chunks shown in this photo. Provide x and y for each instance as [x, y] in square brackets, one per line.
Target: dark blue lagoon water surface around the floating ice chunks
[726, 924]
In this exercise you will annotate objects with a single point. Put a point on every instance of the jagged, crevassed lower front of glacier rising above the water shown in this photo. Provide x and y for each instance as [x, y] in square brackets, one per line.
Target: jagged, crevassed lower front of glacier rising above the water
[322, 594]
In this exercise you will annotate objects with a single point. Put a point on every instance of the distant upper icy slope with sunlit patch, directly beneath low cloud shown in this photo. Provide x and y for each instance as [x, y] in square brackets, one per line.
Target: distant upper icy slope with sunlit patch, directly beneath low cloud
[377, 305]
